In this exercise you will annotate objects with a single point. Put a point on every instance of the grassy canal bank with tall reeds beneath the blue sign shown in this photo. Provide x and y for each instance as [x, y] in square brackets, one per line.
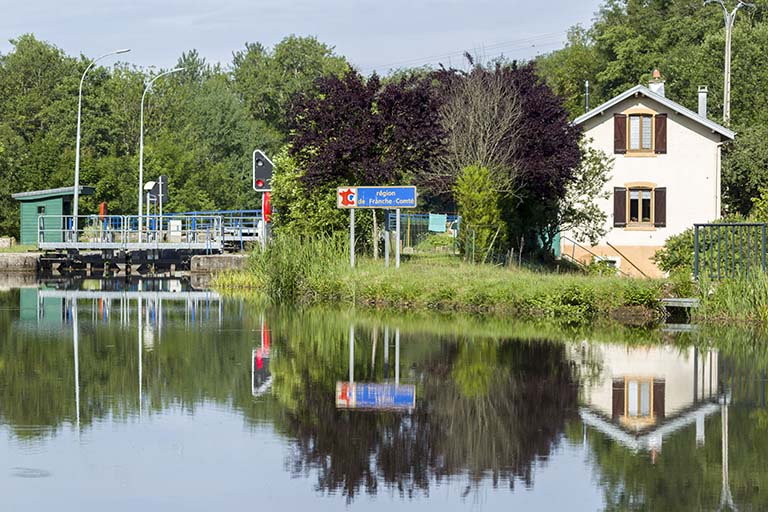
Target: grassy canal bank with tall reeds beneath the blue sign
[316, 271]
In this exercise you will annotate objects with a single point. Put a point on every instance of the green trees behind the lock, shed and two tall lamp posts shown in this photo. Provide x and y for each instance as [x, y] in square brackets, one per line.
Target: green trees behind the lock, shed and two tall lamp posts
[197, 129]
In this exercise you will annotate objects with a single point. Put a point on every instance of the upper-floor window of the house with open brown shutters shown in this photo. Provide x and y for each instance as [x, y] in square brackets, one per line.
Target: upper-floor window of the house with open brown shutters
[639, 132]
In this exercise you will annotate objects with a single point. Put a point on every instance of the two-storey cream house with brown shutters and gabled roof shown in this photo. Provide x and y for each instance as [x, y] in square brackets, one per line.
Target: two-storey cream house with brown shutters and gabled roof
[666, 174]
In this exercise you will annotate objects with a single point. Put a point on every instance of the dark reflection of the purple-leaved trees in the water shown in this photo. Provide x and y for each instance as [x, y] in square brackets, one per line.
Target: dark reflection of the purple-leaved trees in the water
[485, 409]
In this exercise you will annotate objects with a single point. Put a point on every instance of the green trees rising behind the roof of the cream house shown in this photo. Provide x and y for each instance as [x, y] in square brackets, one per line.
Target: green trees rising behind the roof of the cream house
[685, 40]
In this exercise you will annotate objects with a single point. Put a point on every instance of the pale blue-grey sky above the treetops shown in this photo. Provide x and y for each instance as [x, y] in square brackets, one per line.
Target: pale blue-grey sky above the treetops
[372, 34]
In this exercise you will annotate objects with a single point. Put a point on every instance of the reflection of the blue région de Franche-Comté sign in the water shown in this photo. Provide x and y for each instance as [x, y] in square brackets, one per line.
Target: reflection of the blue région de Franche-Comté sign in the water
[354, 395]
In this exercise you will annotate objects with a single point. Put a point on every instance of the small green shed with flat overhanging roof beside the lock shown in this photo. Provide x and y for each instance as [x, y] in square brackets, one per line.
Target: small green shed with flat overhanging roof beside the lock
[56, 202]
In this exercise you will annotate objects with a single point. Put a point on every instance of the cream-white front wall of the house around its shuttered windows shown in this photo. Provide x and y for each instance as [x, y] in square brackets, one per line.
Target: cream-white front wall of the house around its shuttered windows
[689, 171]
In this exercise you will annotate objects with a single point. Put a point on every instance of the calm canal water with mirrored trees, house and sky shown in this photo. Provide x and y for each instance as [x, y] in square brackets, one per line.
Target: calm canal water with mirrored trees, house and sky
[148, 395]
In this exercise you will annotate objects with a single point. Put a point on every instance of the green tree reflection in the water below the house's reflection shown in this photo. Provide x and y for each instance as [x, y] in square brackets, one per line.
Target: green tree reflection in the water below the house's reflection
[684, 476]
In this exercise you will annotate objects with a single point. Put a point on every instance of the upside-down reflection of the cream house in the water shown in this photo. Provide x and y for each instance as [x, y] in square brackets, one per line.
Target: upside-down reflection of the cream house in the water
[644, 394]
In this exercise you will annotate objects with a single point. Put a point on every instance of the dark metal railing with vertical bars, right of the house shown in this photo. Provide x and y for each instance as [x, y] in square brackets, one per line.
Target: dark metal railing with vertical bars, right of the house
[729, 249]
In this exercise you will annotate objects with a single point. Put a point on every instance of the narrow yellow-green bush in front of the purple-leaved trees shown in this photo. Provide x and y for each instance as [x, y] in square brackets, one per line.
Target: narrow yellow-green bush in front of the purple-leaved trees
[478, 202]
